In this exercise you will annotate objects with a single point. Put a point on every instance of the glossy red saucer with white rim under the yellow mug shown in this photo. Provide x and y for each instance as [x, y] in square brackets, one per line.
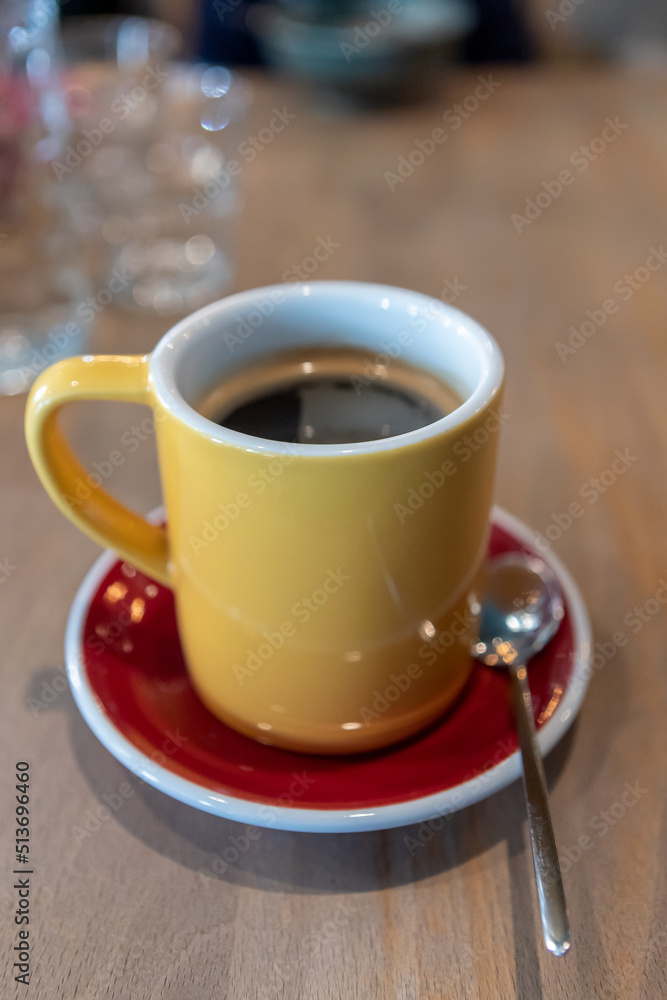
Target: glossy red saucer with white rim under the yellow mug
[145, 710]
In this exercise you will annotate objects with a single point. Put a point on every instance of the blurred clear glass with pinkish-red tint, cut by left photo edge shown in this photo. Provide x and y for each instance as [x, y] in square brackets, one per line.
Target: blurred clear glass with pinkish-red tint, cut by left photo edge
[41, 286]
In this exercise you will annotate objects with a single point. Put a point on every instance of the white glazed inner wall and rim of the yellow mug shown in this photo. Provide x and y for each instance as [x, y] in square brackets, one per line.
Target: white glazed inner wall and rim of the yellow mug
[390, 323]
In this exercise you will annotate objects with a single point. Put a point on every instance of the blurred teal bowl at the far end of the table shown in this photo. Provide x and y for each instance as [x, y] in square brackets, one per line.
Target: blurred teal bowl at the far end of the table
[361, 51]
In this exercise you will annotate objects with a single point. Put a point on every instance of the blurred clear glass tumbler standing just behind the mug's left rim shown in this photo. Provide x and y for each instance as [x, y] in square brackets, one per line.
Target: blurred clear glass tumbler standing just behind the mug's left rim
[178, 241]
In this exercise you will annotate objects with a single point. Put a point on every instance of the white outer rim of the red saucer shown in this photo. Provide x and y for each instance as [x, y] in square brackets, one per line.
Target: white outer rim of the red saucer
[318, 820]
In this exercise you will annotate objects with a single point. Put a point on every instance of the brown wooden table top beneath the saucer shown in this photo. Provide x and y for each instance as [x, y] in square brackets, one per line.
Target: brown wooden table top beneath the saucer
[135, 909]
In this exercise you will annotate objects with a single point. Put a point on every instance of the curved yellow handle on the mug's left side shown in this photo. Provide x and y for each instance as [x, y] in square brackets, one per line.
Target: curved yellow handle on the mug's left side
[106, 520]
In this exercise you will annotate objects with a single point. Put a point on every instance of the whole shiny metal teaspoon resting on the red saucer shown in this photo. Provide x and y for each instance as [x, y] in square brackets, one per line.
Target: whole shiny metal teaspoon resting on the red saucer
[522, 609]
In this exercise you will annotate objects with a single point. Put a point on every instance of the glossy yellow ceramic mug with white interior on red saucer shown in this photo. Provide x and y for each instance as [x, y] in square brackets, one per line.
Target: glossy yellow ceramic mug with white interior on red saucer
[325, 594]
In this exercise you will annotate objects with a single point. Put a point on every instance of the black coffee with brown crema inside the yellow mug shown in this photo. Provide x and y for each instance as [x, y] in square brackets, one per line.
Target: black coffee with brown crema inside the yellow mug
[328, 396]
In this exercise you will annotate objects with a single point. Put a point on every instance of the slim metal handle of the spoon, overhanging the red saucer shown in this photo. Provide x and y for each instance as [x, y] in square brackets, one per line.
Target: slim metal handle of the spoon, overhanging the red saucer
[551, 894]
